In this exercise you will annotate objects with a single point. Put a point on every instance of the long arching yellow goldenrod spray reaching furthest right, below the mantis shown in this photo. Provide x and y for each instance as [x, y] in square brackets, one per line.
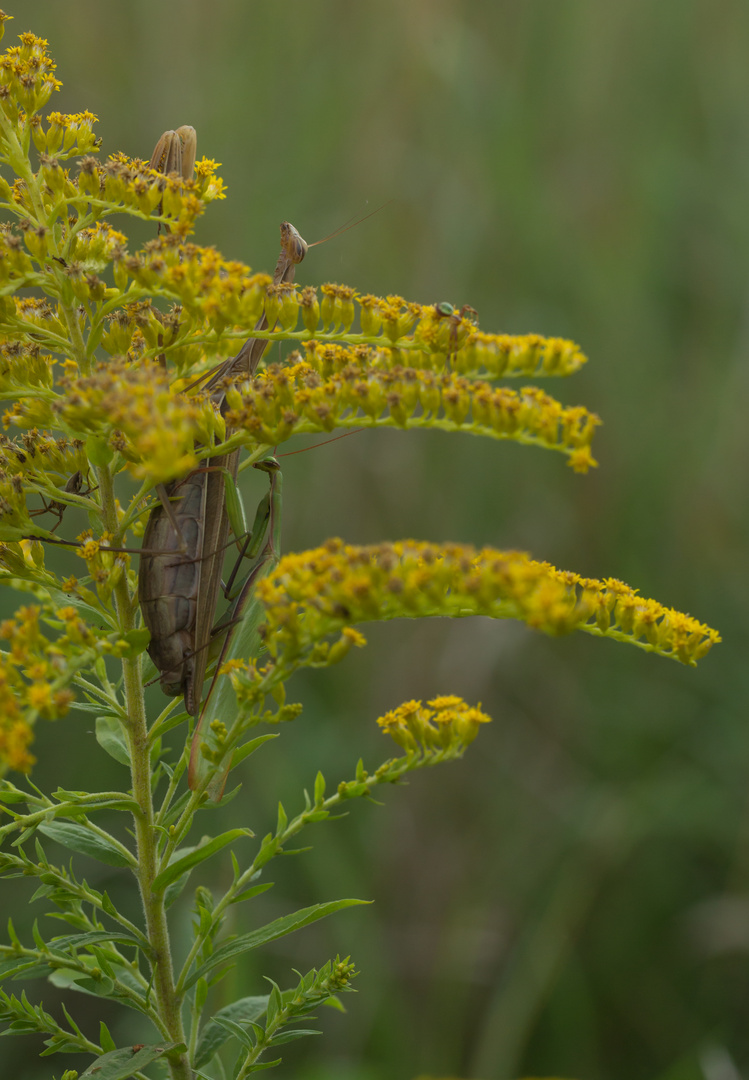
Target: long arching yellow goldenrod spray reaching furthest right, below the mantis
[318, 593]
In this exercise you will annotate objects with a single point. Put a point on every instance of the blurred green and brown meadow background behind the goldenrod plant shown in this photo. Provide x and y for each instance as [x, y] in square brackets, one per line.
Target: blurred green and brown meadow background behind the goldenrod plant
[574, 898]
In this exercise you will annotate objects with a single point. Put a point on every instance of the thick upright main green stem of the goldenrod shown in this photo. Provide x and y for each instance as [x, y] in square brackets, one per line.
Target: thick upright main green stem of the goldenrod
[146, 833]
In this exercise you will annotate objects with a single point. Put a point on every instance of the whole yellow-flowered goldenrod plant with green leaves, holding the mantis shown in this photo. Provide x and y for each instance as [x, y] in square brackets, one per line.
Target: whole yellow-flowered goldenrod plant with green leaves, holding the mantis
[104, 358]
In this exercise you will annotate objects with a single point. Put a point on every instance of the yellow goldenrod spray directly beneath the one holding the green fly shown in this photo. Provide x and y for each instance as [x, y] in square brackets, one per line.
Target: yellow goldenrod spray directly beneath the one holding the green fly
[350, 387]
